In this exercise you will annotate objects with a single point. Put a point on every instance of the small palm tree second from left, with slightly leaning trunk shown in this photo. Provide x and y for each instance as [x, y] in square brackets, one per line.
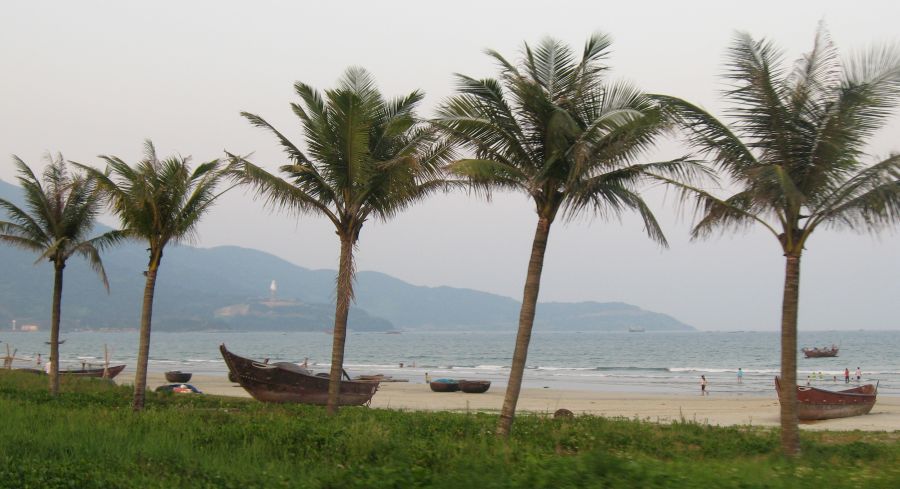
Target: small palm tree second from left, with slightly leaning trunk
[160, 202]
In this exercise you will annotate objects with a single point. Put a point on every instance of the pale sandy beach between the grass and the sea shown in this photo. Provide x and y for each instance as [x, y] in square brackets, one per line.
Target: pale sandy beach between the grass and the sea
[723, 410]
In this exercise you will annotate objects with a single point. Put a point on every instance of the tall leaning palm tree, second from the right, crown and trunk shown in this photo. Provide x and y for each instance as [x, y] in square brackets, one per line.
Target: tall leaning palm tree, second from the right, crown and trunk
[552, 127]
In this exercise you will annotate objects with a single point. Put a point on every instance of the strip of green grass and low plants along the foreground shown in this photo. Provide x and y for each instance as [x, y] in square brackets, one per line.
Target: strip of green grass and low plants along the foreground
[89, 438]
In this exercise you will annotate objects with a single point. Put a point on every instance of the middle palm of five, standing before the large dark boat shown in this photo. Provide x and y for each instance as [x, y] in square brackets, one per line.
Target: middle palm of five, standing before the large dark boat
[365, 157]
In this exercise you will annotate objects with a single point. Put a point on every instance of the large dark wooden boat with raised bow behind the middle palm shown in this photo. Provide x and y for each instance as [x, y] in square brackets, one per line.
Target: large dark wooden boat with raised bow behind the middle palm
[287, 382]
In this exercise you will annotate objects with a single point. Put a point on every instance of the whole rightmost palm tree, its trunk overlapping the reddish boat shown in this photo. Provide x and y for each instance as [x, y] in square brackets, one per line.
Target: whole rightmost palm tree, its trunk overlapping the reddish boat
[794, 153]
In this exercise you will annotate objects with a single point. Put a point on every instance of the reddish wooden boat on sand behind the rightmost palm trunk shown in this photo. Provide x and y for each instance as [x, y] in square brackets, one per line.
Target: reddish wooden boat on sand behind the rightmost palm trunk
[814, 403]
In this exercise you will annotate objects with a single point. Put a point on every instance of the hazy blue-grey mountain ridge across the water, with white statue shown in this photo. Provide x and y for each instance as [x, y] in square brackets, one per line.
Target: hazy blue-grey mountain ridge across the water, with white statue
[227, 288]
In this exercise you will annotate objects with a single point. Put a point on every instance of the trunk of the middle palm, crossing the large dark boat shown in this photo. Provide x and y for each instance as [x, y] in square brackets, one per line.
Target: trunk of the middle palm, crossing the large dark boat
[342, 311]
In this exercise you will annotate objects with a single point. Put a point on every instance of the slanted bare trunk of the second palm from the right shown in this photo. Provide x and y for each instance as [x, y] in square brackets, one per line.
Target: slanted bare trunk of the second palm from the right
[526, 322]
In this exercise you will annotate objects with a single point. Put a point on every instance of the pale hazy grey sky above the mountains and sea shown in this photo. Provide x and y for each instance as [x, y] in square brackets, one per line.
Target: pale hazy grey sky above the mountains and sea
[92, 77]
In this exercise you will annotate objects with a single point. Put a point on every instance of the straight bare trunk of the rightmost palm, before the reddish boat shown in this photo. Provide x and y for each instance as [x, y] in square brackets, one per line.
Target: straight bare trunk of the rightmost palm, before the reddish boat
[790, 431]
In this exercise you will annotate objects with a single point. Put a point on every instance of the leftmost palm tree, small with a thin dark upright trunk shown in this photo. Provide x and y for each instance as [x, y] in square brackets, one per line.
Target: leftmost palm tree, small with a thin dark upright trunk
[61, 209]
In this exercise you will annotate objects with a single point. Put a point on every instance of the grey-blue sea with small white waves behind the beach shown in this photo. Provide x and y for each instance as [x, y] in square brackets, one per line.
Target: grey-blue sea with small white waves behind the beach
[639, 362]
